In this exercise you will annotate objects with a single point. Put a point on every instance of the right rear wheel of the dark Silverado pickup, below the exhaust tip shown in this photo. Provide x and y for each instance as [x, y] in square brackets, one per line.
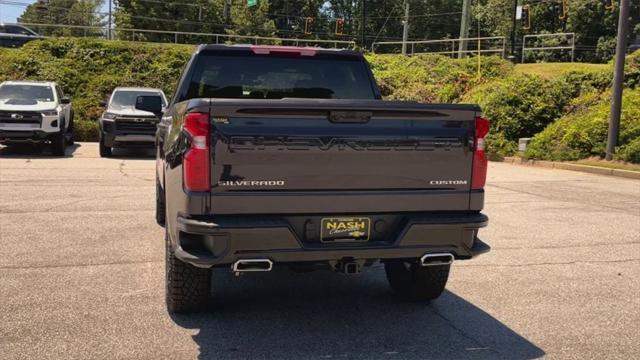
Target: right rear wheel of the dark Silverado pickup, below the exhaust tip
[414, 282]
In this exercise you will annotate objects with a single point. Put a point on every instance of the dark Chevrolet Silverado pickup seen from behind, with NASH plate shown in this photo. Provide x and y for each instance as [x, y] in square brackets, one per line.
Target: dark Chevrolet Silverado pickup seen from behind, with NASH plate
[270, 156]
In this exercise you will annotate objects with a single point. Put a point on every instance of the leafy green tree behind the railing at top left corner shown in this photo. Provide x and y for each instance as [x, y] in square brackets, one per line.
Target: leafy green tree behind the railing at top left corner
[63, 12]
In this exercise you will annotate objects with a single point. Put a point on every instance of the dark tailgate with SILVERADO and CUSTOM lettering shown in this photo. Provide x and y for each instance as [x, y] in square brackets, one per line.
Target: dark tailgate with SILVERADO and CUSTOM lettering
[314, 146]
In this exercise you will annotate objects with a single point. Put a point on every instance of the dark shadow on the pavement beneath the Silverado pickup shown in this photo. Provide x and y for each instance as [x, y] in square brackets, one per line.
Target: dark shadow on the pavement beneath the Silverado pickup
[327, 315]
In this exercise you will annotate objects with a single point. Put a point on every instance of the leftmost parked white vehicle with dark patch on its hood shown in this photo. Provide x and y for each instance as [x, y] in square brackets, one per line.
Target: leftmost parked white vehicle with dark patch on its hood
[36, 112]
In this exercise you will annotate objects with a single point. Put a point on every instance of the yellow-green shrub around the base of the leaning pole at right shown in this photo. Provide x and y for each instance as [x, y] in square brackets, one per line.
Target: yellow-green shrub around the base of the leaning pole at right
[583, 133]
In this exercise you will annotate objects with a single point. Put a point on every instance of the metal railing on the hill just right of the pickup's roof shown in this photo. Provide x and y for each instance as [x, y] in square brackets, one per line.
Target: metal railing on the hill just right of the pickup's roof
[492, 44]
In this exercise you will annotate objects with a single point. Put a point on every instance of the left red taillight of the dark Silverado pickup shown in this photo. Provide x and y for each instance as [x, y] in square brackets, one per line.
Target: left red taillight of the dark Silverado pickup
[196, 165]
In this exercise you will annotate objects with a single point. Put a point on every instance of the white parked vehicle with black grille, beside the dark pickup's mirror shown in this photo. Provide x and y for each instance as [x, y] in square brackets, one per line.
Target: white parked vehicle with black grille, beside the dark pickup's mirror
[122, 125]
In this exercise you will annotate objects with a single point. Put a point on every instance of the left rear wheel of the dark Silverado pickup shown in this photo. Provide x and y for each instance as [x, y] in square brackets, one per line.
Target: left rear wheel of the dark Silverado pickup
[188, 286]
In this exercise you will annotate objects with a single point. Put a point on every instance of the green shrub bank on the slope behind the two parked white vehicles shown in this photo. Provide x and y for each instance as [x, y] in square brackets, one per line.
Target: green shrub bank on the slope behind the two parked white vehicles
[89, 69]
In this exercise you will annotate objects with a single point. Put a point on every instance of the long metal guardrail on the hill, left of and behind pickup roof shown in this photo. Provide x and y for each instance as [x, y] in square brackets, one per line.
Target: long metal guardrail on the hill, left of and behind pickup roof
[180, 37]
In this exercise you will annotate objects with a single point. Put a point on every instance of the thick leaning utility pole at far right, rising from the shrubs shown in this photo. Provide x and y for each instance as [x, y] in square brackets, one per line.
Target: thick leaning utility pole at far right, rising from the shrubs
[618, 77]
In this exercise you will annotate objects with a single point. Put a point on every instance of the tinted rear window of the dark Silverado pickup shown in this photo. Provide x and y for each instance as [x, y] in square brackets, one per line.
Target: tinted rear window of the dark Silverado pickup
[275, 77]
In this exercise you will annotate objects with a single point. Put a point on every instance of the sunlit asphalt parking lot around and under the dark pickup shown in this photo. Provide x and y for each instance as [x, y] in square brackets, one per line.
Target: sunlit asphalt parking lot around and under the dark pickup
[82, 266]
